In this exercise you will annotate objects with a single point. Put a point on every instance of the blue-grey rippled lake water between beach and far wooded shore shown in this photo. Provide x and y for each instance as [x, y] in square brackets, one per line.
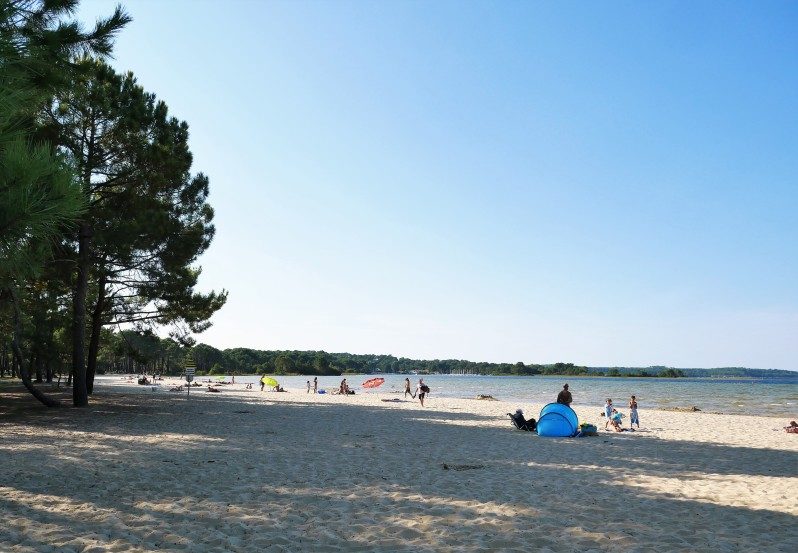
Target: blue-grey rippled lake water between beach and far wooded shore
[766, 396]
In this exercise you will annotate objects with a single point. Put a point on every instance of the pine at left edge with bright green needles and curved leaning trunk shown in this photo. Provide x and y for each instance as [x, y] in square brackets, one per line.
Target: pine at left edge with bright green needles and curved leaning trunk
[38, 192]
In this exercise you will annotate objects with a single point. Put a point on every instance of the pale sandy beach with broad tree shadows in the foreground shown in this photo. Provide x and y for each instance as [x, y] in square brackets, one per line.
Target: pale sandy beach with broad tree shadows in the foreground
[245, 471]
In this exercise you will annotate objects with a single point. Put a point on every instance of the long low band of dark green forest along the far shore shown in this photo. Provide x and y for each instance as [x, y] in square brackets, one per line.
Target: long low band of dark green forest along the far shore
[144, 352]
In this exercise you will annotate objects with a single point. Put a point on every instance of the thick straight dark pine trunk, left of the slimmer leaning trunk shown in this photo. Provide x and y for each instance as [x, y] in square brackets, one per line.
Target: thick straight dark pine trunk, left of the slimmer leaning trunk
[80, 396]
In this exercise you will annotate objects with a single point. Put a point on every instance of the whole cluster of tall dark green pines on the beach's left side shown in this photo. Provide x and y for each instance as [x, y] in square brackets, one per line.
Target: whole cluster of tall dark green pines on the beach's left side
[101, 217]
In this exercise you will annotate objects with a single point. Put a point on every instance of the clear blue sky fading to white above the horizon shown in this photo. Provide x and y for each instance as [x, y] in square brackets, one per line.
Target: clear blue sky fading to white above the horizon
[608, 184]
